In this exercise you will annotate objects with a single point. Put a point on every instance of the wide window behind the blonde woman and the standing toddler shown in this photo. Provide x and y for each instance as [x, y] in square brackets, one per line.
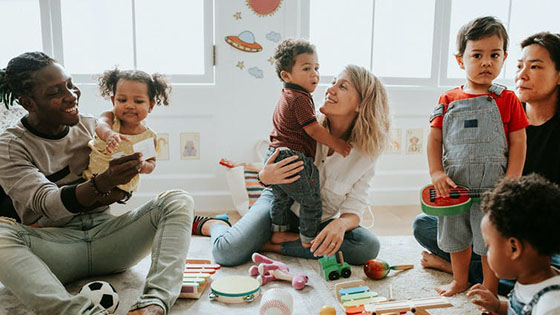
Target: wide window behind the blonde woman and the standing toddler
[410, 42]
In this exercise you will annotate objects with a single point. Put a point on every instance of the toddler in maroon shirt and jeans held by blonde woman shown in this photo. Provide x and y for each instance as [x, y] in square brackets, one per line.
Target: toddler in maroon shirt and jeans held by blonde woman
[295, 132]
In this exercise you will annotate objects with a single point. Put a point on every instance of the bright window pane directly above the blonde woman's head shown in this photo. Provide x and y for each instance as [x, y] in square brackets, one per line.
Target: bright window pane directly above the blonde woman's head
[341, 30]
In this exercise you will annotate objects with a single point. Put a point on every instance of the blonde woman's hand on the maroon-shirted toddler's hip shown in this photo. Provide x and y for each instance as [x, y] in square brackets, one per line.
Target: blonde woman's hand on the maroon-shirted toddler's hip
[274, 173]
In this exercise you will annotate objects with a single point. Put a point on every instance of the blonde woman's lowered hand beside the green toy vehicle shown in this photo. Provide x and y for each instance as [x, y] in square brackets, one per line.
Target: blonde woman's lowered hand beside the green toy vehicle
[329, 240]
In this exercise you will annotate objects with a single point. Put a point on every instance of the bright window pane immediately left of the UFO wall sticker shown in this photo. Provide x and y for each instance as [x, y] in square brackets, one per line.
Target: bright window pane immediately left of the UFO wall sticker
[170, 36]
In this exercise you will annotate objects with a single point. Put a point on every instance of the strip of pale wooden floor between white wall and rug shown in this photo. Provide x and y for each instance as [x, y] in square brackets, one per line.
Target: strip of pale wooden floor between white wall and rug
[389, 220]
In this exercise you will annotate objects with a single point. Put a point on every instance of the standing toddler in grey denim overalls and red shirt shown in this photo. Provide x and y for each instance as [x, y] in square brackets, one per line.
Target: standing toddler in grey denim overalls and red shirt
[477, 136]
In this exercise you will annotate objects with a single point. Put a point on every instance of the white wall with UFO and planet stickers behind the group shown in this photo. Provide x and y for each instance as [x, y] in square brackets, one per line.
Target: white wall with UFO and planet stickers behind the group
[236, 112]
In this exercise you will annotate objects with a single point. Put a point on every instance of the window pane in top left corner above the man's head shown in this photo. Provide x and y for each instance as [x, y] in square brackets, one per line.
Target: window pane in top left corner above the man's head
[19, 36]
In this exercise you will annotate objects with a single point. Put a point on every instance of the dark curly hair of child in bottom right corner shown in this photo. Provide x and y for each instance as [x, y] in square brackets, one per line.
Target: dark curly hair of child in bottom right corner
[528, 209]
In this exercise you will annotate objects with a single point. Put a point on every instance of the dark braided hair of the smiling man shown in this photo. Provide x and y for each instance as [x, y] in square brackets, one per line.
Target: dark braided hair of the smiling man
[15, 79]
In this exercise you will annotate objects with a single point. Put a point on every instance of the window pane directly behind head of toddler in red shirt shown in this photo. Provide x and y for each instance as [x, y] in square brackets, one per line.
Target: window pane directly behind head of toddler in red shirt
[461, 13]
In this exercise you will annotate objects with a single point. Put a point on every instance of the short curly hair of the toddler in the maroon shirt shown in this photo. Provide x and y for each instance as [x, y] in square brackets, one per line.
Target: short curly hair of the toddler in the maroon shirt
[286, 53]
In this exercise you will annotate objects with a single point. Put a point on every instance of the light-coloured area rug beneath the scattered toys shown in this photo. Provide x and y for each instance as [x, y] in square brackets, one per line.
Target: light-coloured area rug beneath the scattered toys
[414, 283]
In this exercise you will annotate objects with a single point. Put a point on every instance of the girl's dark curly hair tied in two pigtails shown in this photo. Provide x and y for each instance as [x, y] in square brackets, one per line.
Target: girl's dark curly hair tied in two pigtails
[158, 88]
